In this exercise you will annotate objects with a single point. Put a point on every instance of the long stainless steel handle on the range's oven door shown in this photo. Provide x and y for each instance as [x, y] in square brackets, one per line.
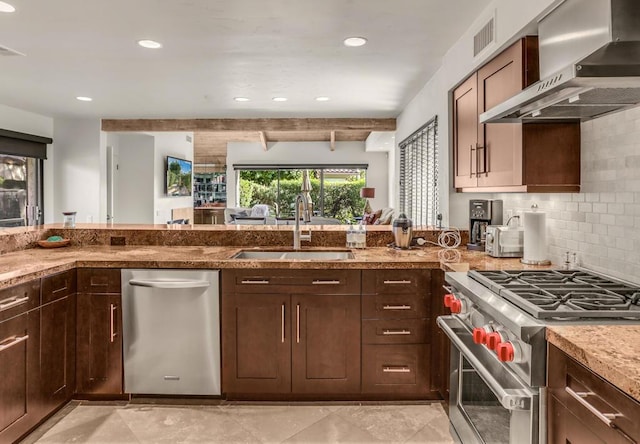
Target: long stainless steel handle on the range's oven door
[511, 399]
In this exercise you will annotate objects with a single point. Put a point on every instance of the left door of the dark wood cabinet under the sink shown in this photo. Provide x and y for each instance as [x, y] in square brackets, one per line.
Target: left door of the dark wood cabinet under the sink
[256, 344]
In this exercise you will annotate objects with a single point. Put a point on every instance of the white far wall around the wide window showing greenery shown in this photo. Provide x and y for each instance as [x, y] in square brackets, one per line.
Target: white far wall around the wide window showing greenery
[311, 152]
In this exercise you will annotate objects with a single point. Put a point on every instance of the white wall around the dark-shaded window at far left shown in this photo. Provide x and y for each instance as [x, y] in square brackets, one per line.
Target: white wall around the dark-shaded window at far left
[15, 119]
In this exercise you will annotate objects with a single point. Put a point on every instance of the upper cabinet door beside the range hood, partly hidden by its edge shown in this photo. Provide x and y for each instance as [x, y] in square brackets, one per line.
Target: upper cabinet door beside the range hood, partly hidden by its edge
[500, 156]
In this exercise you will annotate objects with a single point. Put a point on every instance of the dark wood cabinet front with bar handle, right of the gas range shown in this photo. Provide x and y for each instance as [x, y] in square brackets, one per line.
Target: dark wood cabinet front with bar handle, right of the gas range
[584, 408]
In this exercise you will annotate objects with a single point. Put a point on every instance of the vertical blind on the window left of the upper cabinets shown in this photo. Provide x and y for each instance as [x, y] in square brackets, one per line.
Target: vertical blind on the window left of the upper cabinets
[419, 174]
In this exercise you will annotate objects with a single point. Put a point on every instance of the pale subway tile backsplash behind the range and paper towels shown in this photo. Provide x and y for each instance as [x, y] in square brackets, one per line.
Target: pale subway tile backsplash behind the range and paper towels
[601, 224]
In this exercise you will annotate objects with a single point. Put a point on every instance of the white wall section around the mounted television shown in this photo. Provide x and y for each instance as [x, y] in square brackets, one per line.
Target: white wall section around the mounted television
[176, 145]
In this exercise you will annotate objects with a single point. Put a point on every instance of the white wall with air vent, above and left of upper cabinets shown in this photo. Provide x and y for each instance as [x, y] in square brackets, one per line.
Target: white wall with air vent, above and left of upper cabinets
[513, 19]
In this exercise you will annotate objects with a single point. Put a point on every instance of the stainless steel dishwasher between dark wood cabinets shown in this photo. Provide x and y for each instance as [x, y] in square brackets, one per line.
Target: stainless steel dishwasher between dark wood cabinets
[171, 331]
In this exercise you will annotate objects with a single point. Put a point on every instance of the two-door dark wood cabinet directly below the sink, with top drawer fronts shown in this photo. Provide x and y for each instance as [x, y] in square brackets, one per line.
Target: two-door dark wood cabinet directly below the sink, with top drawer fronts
[291, 332]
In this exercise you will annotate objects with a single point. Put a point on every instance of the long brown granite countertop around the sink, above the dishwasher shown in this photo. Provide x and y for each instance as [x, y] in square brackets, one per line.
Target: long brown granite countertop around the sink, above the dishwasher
[32, 263]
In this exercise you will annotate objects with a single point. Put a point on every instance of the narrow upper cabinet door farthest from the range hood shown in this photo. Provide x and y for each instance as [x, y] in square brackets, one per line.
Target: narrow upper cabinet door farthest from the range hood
[465, 132]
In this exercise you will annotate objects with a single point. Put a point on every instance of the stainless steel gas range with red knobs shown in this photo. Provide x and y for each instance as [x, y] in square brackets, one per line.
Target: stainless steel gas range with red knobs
[499, 350]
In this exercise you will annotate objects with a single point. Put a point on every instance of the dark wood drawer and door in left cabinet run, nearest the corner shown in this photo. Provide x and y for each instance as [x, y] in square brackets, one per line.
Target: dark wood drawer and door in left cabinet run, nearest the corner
[57, 340]
